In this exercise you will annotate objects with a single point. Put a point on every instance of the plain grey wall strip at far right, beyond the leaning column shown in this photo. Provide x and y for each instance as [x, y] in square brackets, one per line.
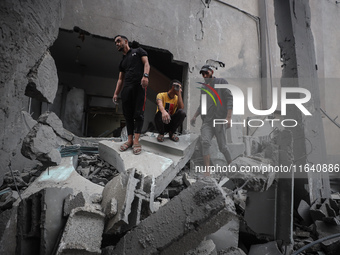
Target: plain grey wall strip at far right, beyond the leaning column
[326, 35]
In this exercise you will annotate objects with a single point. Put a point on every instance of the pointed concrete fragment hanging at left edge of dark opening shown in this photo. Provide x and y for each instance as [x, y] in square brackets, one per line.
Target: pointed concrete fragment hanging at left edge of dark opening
[43, 80]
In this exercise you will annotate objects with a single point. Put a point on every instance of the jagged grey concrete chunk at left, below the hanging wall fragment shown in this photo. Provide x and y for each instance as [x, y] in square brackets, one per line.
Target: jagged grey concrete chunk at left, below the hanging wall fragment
[41, 144]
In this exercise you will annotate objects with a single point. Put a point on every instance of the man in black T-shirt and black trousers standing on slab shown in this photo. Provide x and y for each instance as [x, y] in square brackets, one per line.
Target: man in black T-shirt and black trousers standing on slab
[133, 78]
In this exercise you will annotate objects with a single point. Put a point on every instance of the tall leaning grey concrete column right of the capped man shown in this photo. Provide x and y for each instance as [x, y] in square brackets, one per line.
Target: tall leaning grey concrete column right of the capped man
[296, 41]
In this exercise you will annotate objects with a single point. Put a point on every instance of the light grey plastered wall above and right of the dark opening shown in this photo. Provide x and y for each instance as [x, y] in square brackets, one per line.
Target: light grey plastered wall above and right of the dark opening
[190, 30]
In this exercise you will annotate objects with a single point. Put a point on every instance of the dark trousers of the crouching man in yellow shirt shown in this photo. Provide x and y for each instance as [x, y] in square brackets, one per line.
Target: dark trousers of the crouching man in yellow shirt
[176, 120]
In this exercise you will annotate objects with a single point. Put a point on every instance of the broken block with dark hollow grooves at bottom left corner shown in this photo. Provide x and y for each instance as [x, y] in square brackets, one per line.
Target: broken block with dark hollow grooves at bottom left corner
[40, 220]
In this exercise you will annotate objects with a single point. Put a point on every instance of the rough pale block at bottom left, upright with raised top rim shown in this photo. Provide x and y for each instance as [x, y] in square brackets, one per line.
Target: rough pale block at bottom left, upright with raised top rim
[83, 232]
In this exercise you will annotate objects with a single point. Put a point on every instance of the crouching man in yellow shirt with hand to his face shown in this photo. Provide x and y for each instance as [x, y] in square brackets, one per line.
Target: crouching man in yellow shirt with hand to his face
[170, 113]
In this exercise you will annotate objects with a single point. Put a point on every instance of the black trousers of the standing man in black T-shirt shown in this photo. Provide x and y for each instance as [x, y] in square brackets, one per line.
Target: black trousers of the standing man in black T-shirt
[133, 102]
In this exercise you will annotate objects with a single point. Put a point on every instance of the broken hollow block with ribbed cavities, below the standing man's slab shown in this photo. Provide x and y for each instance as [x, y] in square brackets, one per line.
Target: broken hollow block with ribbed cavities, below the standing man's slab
[134, 194]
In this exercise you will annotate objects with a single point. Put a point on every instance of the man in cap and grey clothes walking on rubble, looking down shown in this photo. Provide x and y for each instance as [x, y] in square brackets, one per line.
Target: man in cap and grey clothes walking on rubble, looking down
[218, 111]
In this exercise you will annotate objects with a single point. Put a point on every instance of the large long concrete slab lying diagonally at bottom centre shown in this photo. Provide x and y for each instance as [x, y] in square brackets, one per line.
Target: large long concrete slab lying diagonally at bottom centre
[182, 223]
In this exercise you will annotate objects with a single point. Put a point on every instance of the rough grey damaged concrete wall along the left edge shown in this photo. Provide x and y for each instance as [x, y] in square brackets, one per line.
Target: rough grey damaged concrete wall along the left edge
[28, 29]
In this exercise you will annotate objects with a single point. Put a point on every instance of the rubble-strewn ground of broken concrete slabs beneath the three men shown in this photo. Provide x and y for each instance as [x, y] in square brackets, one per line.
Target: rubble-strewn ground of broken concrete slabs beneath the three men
[85, 205]
